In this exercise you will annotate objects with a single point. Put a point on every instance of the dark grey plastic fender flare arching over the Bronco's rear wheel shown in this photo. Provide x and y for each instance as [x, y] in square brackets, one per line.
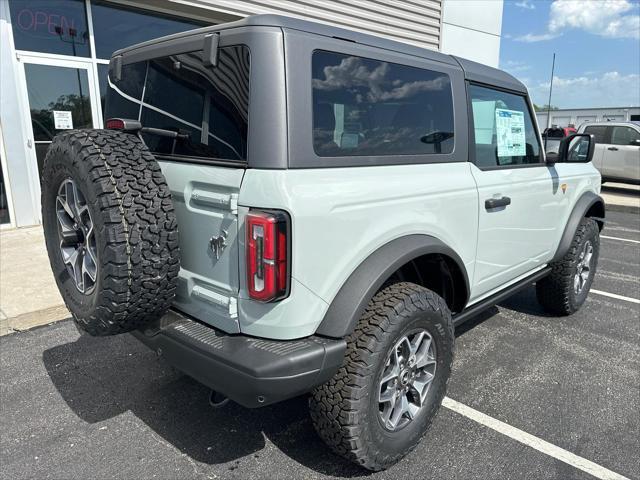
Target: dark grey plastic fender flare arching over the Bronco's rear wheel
[366, 280]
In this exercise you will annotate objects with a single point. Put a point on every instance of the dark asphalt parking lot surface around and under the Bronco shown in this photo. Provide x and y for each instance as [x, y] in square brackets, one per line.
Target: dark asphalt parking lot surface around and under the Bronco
[80, 407]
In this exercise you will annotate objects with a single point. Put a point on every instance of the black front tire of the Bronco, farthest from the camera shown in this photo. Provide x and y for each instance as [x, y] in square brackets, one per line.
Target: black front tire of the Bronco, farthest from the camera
[556, 292]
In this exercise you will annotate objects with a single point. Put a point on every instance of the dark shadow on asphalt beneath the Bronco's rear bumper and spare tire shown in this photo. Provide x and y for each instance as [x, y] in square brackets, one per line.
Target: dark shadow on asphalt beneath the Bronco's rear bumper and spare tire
[101, 378]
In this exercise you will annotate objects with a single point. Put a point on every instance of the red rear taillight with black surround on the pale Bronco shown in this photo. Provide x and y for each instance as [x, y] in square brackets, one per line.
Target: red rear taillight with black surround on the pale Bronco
[267, 255]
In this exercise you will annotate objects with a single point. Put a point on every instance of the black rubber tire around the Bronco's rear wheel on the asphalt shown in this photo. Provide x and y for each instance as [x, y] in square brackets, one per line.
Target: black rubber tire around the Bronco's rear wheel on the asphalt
[345, 410]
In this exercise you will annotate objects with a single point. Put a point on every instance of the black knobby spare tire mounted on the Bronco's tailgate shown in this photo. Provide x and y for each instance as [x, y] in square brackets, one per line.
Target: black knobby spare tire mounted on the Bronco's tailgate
[135, 229]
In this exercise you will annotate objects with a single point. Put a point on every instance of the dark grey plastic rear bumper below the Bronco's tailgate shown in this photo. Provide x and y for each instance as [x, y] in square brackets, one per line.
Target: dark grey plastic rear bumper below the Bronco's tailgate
[251, 371]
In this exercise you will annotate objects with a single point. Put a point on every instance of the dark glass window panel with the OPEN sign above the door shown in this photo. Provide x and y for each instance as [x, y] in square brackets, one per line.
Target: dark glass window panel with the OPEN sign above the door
[50, 26]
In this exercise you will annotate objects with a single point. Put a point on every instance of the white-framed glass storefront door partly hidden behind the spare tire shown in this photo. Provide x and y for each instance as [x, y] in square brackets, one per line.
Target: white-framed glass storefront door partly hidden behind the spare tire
[61, 95]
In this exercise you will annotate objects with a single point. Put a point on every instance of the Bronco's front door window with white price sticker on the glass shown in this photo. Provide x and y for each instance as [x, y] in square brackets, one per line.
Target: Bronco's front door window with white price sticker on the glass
[503, 127]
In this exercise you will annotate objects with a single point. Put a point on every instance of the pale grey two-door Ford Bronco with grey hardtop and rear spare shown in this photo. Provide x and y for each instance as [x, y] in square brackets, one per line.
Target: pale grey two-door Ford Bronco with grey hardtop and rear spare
[278, 207]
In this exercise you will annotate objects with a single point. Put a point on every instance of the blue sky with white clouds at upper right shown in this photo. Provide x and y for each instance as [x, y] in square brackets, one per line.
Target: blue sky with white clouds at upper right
[597, 47]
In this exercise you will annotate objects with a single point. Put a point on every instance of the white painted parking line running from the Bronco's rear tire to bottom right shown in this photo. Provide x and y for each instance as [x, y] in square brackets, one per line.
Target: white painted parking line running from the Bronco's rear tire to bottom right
[532, 441]
